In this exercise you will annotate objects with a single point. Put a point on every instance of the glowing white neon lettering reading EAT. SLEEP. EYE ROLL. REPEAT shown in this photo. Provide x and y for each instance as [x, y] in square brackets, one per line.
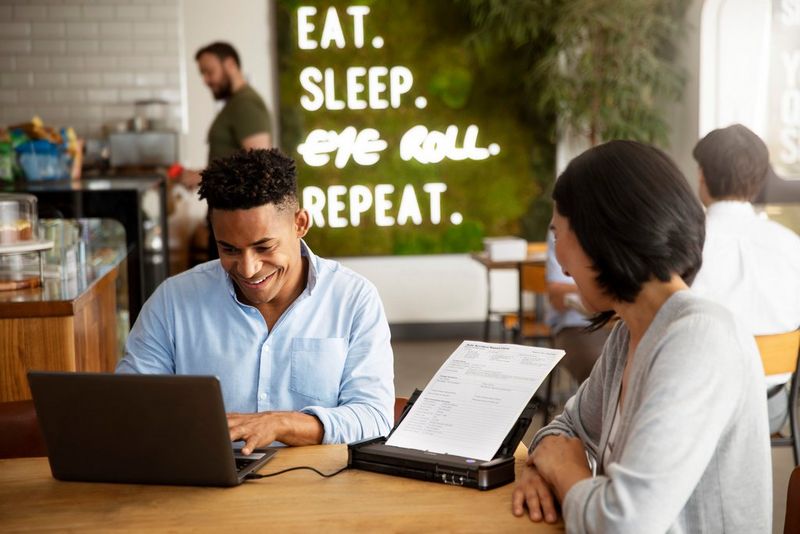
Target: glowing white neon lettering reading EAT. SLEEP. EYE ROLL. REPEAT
[377, 88]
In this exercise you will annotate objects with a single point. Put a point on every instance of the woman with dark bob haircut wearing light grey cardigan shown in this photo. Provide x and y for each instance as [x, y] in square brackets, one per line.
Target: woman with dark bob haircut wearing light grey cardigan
[673, 418]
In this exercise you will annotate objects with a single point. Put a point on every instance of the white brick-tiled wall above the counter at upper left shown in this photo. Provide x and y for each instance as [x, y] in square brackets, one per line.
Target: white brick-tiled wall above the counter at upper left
[83, 63]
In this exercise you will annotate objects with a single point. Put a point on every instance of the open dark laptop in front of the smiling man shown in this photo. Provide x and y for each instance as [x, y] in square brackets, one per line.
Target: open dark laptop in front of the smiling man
[146, 429]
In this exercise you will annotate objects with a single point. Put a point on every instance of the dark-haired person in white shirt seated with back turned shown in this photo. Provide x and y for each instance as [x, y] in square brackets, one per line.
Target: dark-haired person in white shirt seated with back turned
[751, 265]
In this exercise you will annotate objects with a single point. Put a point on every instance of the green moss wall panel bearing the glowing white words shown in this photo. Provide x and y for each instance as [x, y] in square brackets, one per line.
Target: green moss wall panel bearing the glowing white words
[405, 142]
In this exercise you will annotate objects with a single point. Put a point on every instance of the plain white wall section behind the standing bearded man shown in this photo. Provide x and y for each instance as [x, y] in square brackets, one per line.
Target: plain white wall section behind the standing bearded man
[243, 23]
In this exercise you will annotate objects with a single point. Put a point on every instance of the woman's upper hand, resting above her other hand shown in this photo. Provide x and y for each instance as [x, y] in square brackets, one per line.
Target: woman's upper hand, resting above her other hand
[561, 461]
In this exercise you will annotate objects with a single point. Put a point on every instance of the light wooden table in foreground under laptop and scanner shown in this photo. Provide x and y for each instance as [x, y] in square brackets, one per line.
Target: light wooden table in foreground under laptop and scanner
[299, 501]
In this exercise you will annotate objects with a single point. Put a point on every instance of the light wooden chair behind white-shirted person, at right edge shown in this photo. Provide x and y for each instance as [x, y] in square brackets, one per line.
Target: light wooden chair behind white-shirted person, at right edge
[780, 354]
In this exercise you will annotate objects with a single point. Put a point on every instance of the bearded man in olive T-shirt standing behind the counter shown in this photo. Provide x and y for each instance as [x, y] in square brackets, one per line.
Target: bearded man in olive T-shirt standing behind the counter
[243, 122]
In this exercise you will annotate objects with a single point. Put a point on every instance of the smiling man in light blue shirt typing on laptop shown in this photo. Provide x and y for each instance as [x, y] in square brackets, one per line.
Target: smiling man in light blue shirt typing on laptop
[300, 344]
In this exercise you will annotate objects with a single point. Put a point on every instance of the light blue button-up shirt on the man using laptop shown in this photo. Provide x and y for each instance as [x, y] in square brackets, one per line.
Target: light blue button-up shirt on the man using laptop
[328, 355]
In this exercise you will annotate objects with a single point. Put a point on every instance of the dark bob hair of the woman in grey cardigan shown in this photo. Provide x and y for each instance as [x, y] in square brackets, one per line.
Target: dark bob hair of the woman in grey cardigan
[634, 215]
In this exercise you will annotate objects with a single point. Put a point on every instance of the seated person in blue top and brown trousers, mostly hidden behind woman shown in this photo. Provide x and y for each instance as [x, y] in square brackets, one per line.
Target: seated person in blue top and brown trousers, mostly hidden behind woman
[567, 324]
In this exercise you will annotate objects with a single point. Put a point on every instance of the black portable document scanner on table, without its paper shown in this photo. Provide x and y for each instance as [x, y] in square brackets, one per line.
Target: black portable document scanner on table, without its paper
[375, 455]
